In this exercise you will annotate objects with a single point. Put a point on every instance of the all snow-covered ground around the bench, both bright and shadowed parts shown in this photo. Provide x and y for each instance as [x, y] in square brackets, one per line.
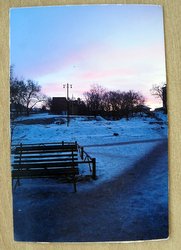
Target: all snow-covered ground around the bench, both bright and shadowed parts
[121, 148]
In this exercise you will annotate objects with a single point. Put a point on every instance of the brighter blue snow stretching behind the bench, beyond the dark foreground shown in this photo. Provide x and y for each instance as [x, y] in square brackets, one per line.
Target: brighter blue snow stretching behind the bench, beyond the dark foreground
[97, 137]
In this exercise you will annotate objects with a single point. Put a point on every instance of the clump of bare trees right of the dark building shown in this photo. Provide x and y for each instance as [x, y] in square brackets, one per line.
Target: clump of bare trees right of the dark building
[117, 104]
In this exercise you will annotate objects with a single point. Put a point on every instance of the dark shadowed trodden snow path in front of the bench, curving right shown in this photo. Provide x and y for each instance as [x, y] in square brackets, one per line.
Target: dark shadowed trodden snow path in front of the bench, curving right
[131, 206]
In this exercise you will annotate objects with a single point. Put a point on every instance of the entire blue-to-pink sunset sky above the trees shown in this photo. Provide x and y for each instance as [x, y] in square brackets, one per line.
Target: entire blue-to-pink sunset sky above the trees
[120, 47]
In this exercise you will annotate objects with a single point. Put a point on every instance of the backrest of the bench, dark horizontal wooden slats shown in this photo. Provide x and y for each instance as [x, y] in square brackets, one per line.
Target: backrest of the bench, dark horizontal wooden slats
[45, 156]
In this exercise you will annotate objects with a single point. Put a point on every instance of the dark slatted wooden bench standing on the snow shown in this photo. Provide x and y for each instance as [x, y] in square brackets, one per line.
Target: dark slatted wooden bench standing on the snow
[49, 160]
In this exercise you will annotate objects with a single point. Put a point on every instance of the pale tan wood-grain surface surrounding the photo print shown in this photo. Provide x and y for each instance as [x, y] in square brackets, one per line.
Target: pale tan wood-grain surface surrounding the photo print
[172, 24]
